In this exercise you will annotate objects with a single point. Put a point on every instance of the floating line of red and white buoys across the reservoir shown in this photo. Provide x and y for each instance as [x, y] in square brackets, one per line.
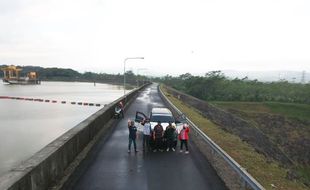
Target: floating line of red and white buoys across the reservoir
[50, 101]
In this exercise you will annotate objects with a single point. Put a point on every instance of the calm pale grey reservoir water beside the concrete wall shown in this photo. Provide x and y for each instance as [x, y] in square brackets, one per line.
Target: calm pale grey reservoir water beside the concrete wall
[28, 126]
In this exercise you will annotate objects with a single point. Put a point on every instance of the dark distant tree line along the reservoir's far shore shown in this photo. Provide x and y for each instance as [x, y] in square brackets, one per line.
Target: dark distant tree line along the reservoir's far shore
[60, 74]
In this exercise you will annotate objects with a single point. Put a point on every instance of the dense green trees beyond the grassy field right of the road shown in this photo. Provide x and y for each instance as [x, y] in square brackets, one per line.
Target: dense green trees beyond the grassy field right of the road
[215, 86]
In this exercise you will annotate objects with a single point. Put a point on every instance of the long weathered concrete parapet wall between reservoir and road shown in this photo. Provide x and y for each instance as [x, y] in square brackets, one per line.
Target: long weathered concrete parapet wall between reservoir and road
[48, 165]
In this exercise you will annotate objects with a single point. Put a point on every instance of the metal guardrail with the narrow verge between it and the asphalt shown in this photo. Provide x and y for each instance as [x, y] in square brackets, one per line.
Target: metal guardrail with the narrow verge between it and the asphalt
[233, 175]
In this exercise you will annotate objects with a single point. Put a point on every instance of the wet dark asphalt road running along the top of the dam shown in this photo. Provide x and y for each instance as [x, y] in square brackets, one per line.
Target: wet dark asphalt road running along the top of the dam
[111, 167]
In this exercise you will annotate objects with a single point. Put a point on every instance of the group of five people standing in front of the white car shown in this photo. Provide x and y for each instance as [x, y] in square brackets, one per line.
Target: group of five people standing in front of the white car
[158, 139]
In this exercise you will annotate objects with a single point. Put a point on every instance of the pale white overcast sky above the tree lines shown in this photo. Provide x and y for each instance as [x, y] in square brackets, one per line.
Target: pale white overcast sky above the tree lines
[174, 36]
